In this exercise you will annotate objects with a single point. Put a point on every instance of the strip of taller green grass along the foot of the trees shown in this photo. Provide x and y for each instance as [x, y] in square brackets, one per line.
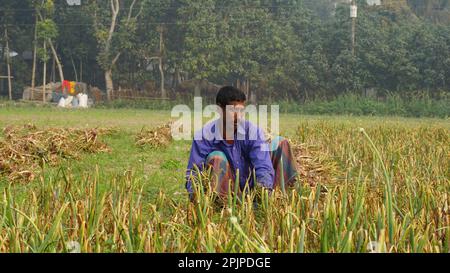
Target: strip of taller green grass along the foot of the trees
[414, 104]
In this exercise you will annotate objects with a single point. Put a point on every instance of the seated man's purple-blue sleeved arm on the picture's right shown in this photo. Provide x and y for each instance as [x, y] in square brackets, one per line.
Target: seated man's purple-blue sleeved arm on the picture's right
[260, 158]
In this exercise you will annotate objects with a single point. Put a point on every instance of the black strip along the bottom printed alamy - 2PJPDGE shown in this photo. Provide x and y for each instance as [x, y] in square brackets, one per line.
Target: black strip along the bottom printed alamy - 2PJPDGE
[166, 263]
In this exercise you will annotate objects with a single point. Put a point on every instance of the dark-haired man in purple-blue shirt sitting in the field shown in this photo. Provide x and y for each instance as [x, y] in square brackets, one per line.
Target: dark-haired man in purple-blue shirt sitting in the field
[231, 143]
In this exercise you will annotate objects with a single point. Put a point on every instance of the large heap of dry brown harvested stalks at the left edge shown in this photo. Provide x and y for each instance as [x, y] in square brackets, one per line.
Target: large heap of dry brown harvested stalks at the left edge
[25, 149]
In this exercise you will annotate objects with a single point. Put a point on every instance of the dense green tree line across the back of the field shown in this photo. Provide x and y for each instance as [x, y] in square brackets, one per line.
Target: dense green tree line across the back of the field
[277, 49]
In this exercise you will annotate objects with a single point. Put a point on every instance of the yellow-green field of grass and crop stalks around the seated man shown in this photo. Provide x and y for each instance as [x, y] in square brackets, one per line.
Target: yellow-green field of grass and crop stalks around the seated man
[387, 189]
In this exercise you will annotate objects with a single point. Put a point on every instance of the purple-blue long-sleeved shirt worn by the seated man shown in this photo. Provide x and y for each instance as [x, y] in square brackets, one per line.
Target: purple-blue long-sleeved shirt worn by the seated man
[249, 151]
